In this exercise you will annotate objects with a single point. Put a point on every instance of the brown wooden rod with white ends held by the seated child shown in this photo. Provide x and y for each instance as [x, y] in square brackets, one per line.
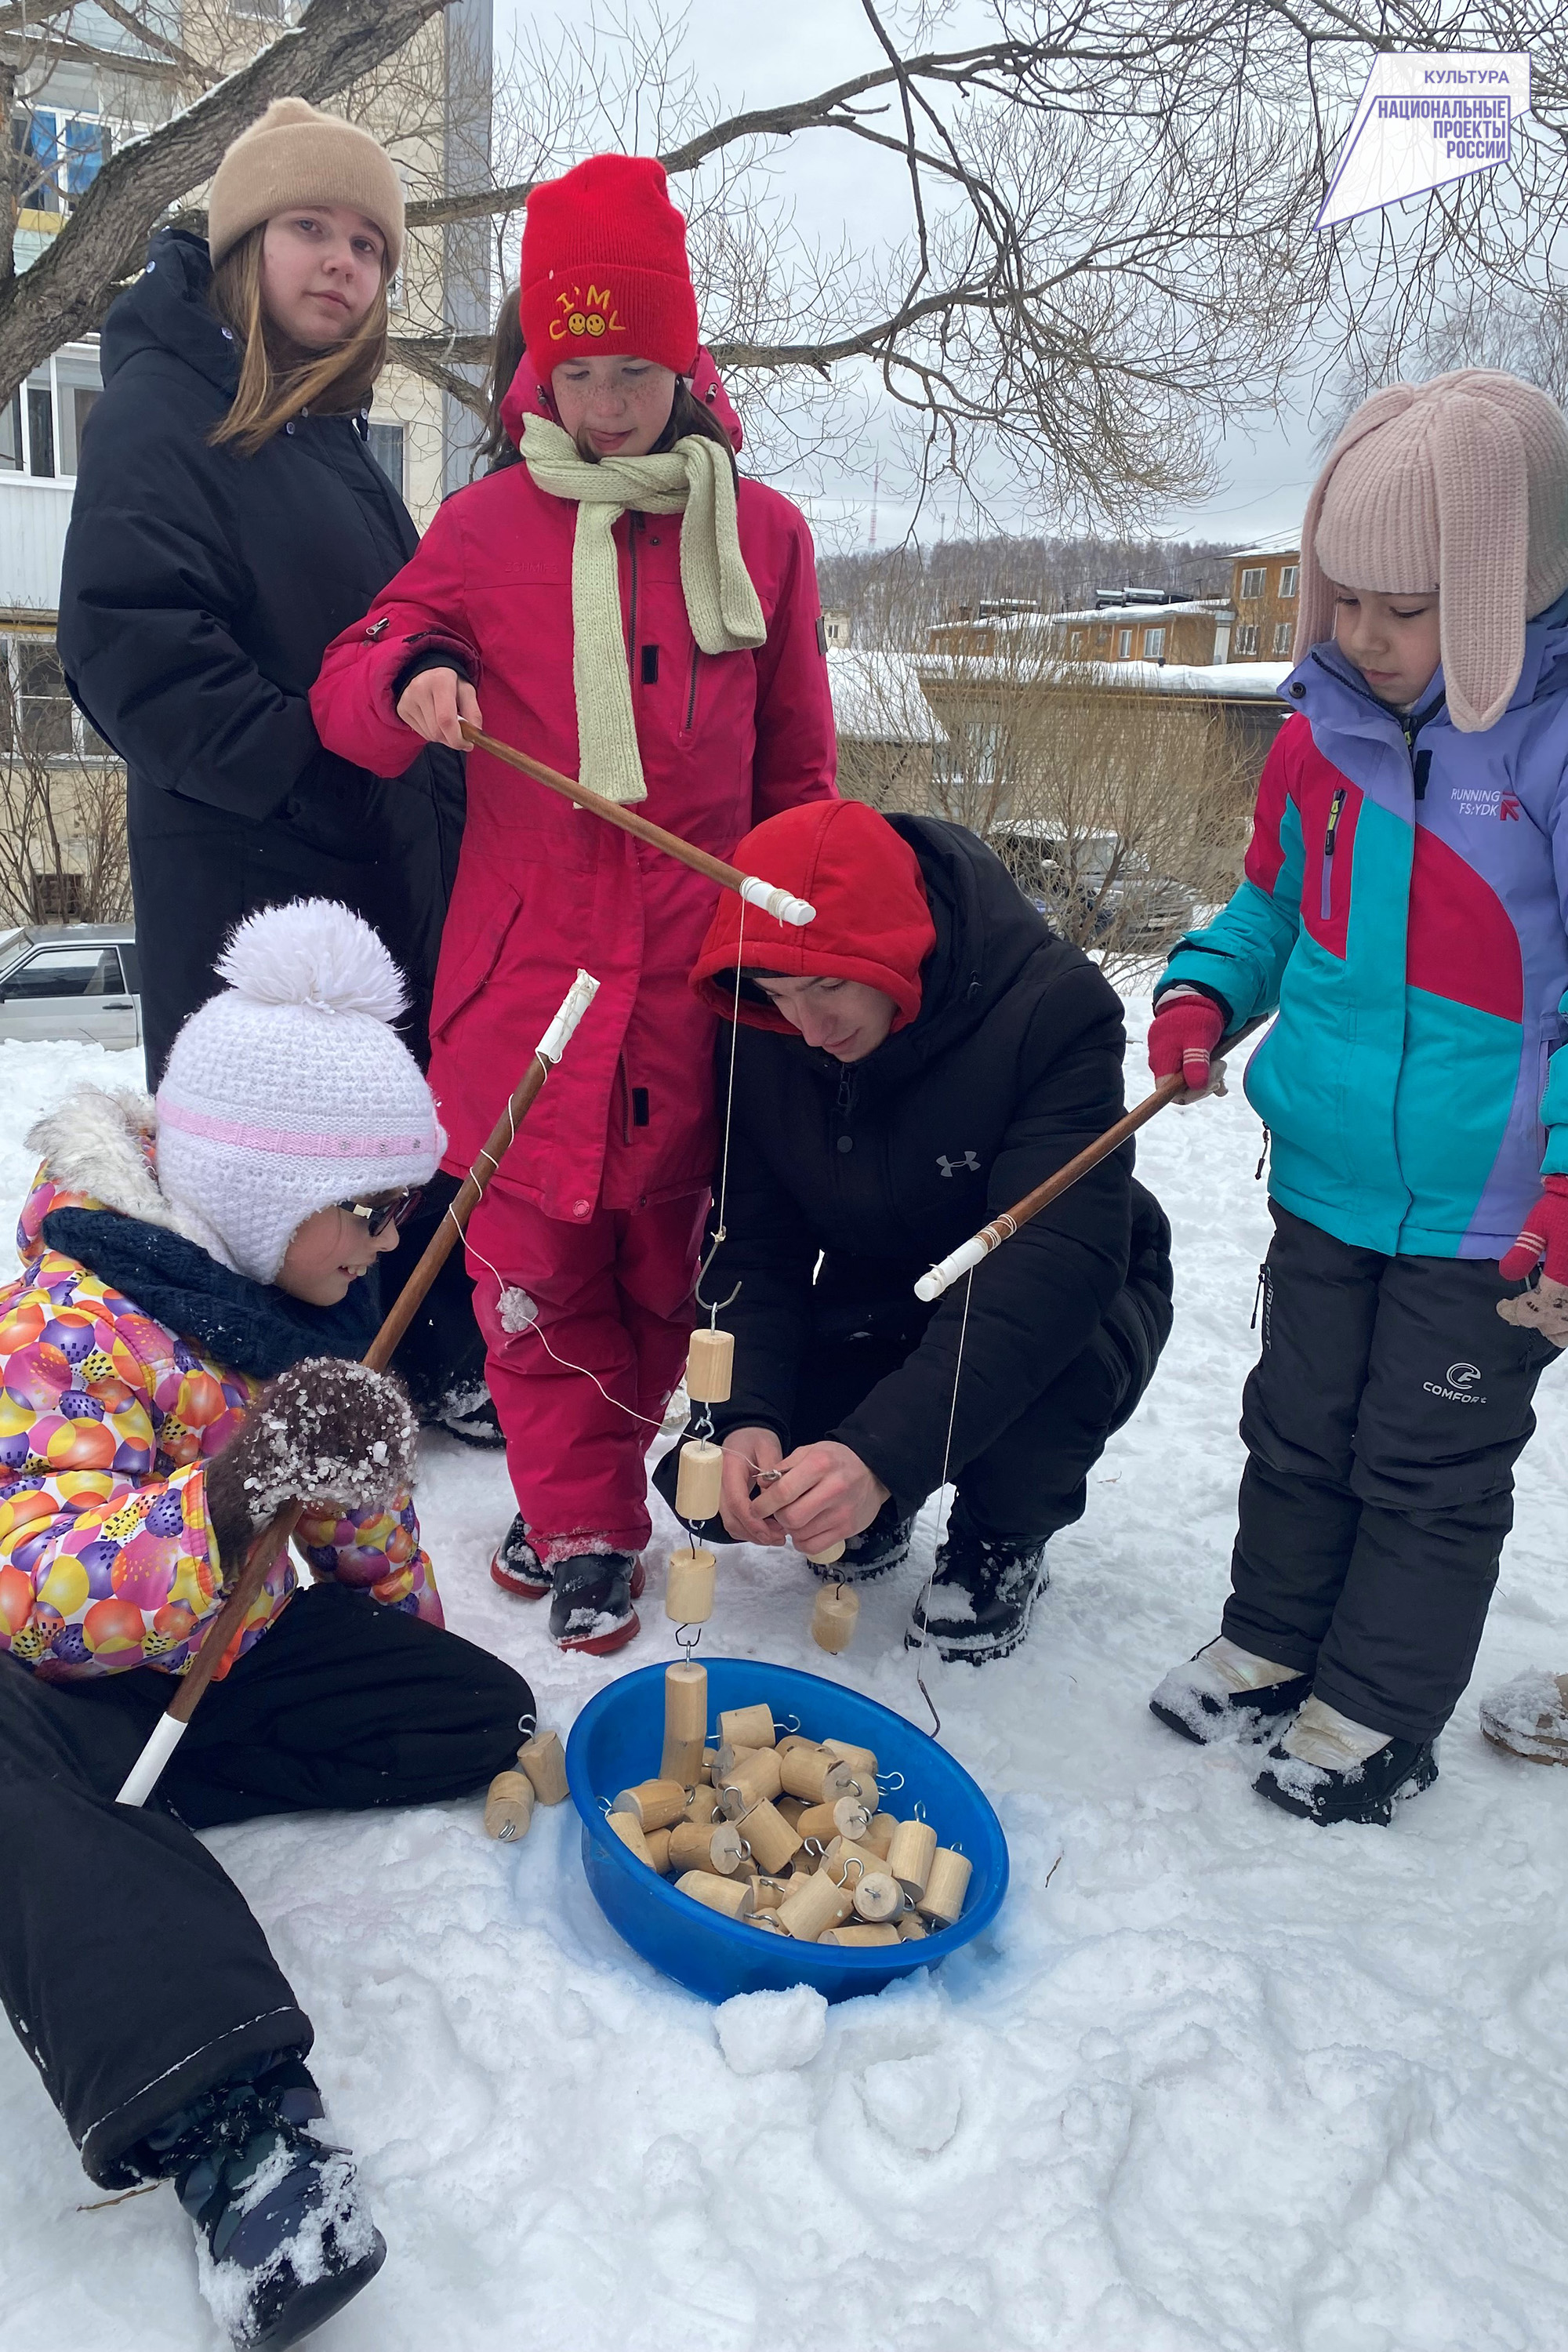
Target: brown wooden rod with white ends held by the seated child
[274, 1539]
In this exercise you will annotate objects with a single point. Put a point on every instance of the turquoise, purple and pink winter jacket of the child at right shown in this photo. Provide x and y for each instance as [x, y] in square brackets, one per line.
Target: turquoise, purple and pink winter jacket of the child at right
[1407, 916]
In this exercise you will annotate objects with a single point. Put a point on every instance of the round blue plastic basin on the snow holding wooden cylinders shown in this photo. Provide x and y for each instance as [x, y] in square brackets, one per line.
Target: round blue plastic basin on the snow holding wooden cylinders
[617, 1742]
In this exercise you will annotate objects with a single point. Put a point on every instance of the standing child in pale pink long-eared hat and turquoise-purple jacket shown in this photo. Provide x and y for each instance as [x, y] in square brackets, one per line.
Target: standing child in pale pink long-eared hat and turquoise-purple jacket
[1405, 923]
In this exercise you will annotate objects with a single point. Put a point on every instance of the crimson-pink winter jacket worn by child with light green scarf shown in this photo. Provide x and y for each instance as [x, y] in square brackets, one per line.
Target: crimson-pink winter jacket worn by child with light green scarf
[547, 888]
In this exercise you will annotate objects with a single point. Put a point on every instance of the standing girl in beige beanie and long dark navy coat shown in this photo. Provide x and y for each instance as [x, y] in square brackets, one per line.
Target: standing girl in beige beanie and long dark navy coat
[229, 521]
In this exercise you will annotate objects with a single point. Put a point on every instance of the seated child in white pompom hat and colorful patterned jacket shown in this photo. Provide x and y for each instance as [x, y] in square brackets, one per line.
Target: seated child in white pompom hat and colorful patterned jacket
[177, 1358]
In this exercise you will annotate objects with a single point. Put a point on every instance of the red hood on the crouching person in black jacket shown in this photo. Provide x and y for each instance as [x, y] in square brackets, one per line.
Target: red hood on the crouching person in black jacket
[871, 911]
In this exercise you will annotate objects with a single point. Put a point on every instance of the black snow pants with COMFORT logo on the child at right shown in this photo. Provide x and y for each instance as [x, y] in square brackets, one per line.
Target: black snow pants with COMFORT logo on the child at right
[1383, 1424]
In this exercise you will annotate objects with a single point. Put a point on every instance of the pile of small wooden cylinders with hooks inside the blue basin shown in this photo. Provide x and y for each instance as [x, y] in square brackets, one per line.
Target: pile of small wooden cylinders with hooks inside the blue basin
[784, 1833]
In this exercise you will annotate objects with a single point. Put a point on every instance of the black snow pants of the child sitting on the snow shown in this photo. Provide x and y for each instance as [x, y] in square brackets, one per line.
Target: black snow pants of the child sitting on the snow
[130, 1965]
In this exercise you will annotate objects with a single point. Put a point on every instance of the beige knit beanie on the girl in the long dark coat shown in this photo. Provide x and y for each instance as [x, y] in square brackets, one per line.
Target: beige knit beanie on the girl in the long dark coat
[300, 156]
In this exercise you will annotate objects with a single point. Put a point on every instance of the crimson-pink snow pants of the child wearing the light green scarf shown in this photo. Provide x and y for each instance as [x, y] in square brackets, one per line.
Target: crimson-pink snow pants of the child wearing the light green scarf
[615, 1297]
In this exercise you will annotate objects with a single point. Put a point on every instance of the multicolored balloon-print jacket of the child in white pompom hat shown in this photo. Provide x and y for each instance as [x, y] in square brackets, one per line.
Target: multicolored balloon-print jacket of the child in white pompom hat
[107, 1426]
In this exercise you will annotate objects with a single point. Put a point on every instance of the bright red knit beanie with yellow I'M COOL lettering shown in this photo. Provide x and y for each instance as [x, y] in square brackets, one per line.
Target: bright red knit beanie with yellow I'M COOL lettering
[605, 269]
